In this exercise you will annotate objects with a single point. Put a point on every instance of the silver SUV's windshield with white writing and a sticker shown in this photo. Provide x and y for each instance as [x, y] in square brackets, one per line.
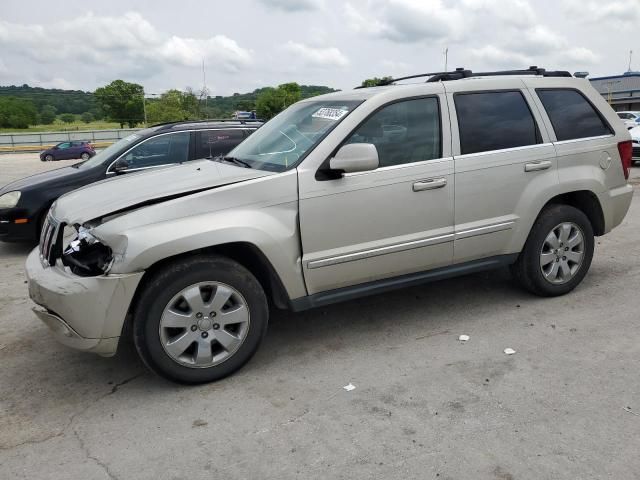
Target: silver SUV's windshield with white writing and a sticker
[286, 139]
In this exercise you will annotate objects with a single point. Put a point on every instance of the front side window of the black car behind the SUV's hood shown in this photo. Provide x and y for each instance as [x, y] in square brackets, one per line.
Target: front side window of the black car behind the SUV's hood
[160, 150]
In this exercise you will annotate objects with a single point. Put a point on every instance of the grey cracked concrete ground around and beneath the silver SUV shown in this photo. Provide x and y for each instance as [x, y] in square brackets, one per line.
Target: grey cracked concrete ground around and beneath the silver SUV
[565, 406]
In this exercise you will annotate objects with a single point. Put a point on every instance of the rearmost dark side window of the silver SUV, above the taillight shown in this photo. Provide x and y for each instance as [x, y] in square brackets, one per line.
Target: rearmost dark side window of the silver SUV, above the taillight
[571, 115]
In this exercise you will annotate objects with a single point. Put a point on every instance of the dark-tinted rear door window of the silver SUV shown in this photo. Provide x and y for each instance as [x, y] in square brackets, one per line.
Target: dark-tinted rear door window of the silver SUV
[494, 121]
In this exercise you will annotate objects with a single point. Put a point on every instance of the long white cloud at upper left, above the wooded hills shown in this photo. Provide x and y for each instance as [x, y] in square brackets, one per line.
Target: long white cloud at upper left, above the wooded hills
[125, 43]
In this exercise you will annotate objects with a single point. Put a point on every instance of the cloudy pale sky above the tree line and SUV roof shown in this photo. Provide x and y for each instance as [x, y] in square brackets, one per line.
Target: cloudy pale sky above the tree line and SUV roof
[247, 44]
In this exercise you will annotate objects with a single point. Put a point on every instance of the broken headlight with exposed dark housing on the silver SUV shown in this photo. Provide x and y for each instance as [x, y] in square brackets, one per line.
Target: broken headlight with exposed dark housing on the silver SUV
[85, 255]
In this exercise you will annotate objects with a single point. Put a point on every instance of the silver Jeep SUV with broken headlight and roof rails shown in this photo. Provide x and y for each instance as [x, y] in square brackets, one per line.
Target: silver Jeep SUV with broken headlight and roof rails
[340, 196]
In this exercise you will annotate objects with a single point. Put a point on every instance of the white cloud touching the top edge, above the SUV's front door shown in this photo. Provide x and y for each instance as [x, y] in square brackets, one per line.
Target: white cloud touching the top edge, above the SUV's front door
[406, 21]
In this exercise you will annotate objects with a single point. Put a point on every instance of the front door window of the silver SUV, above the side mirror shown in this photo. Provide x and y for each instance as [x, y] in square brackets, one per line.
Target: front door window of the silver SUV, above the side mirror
[403, 132]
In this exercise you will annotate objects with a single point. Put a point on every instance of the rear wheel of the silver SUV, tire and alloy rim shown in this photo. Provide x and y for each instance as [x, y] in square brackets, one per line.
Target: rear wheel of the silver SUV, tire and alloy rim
[534, 269]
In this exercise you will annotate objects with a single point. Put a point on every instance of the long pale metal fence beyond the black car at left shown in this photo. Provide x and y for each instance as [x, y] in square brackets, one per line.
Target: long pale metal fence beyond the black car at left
[24, 142]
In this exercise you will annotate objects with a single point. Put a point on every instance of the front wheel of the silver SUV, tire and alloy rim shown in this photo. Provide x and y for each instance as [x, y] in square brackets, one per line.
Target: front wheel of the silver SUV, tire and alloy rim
[171, 297]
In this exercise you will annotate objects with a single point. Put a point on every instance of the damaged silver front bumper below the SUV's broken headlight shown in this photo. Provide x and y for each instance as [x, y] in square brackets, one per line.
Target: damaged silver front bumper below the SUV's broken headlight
[85, 313]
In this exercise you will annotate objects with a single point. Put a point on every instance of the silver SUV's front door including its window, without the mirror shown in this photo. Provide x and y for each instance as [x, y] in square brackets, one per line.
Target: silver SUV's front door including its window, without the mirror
[395, 220]
